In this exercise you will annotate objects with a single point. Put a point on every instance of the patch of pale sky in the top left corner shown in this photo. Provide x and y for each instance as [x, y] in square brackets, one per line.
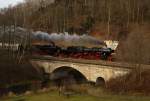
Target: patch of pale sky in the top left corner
[6, 3]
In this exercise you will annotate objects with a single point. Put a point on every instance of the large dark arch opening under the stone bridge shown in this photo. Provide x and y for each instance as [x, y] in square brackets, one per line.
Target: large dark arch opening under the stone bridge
[67, 73]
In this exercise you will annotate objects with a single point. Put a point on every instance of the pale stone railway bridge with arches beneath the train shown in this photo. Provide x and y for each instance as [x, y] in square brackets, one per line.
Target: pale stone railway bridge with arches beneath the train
[91, 70]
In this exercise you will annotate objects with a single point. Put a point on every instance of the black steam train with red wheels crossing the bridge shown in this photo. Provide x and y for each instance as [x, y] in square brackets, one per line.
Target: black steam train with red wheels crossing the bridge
[77, 52]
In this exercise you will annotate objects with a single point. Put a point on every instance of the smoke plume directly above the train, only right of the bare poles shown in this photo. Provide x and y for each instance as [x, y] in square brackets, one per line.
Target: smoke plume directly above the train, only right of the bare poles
[65, 39]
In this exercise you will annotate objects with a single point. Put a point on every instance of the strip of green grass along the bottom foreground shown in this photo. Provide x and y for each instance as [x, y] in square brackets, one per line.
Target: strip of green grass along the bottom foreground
[54, 96]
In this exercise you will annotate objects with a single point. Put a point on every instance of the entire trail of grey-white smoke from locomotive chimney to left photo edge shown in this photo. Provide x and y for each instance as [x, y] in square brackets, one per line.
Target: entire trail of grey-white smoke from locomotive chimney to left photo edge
[61, 39]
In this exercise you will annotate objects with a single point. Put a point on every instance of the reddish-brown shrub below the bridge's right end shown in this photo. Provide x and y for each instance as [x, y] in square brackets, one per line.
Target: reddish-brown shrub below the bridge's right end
[135, 82]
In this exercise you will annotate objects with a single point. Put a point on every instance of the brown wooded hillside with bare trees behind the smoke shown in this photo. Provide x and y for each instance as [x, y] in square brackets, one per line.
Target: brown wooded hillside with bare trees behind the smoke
[101, 18]
